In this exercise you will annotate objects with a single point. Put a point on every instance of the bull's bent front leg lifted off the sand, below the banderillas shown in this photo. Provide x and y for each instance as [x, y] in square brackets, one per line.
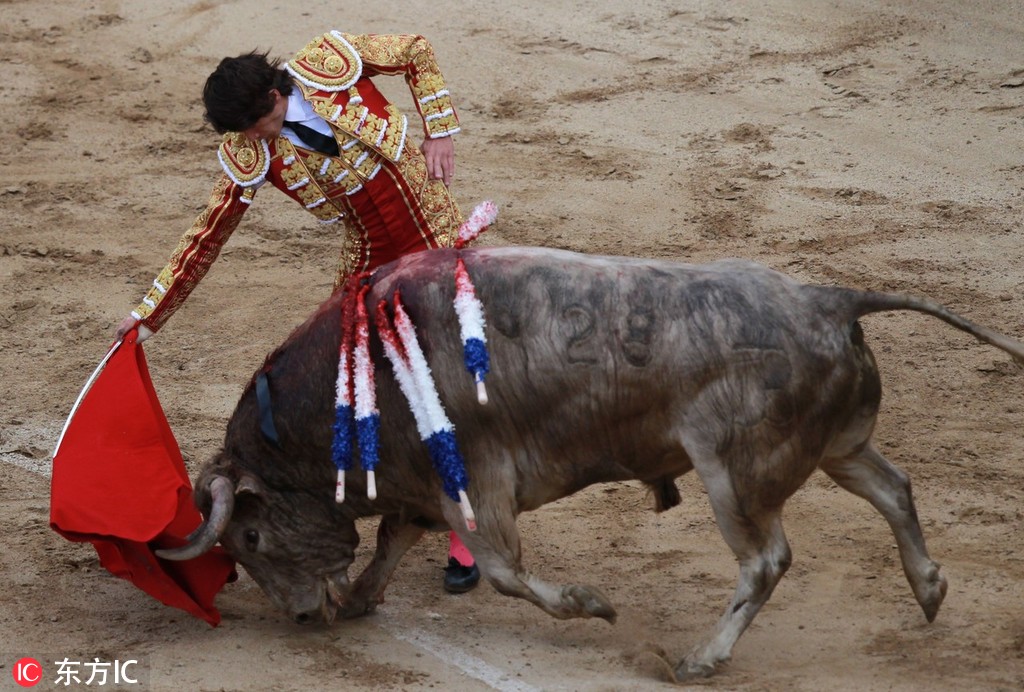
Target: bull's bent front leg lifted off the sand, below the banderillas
[496, 548]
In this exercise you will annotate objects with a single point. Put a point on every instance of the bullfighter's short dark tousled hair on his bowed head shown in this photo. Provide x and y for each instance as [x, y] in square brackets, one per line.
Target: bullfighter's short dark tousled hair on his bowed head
[238, 94]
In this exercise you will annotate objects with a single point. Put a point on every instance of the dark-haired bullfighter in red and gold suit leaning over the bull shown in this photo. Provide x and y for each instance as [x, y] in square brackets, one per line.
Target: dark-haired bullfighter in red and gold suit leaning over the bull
[320, 132]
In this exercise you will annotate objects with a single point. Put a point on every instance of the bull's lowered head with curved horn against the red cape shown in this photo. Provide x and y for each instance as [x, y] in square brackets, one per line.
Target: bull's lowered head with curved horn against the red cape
[294, 544]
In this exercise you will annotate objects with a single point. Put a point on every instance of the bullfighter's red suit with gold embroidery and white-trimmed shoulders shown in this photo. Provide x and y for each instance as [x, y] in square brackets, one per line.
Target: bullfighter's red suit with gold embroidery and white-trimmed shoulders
[377, 186]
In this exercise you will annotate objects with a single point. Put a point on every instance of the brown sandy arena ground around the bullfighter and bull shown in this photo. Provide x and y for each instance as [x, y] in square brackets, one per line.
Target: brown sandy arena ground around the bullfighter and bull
[874, 144]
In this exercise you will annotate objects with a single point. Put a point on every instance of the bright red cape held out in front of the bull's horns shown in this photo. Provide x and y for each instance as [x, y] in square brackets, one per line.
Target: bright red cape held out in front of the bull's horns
[120, 484]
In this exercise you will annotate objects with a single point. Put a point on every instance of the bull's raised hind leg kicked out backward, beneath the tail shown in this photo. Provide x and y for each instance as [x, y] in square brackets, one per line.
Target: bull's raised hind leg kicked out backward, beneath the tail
[872, 477]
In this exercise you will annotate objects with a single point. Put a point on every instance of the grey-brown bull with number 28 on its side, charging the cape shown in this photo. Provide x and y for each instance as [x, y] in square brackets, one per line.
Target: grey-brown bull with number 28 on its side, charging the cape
[604, 370]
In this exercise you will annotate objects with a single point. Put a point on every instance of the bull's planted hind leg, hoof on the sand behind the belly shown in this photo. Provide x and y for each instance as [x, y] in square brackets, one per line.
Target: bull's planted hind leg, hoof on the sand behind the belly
[764, 556]
